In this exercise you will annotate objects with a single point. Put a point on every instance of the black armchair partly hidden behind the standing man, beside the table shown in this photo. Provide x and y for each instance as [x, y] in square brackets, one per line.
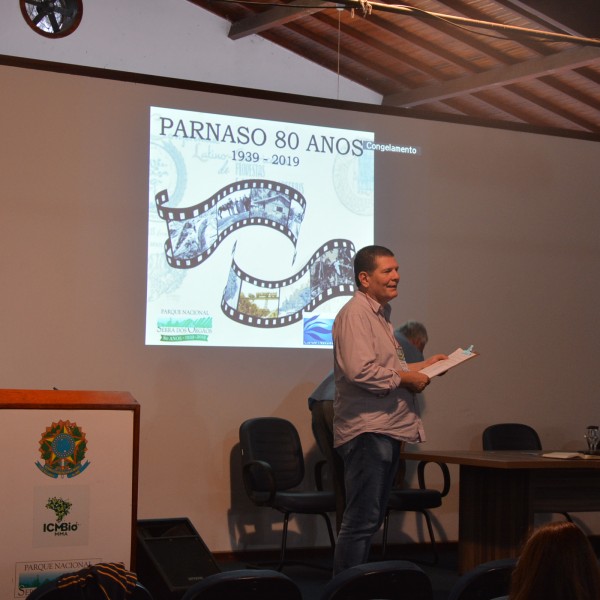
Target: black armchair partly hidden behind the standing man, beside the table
[420, 500]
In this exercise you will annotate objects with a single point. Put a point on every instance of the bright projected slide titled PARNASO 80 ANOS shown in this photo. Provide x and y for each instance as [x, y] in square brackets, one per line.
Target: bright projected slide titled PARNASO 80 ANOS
[253, 226]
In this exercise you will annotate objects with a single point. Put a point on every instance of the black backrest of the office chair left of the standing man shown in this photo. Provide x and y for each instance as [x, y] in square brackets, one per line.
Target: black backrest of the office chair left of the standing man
[274, 441]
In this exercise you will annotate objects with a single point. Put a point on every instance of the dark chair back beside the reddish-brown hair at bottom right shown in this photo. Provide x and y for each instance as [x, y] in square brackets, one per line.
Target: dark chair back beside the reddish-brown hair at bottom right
[485, 582]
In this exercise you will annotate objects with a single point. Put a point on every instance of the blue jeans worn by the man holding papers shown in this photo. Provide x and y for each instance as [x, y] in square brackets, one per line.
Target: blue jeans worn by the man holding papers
[370, 464]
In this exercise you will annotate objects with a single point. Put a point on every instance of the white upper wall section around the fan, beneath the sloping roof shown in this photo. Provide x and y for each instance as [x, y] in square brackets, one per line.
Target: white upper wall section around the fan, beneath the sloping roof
[174, 38]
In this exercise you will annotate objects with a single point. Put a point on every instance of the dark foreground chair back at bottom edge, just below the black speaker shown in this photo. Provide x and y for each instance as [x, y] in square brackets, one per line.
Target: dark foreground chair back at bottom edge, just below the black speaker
[244, 584]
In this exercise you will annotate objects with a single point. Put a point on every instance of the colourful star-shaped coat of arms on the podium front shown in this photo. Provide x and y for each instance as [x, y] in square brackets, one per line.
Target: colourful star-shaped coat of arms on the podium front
[62, 448]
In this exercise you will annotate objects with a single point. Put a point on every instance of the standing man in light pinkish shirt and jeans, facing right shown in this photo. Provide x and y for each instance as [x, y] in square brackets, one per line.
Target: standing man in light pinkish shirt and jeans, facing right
[375, 408]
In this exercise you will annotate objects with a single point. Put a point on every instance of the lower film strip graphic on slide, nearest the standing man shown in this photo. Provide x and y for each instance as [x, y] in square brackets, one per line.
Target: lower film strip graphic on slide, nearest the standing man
[268, 304]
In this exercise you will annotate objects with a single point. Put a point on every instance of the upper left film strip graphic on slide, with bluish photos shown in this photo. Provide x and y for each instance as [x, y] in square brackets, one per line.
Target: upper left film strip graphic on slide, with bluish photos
[196, 231]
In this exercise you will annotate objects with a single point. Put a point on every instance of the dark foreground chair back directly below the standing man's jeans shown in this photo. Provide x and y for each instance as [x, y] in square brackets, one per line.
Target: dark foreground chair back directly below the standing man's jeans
[387, 580]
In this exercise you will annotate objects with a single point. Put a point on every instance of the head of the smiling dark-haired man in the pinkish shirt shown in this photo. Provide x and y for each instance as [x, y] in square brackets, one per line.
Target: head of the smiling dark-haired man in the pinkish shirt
[376, 273]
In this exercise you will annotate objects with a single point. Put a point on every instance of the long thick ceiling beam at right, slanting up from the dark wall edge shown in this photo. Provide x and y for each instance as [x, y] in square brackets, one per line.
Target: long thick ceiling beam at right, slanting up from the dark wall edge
[531, 69]
